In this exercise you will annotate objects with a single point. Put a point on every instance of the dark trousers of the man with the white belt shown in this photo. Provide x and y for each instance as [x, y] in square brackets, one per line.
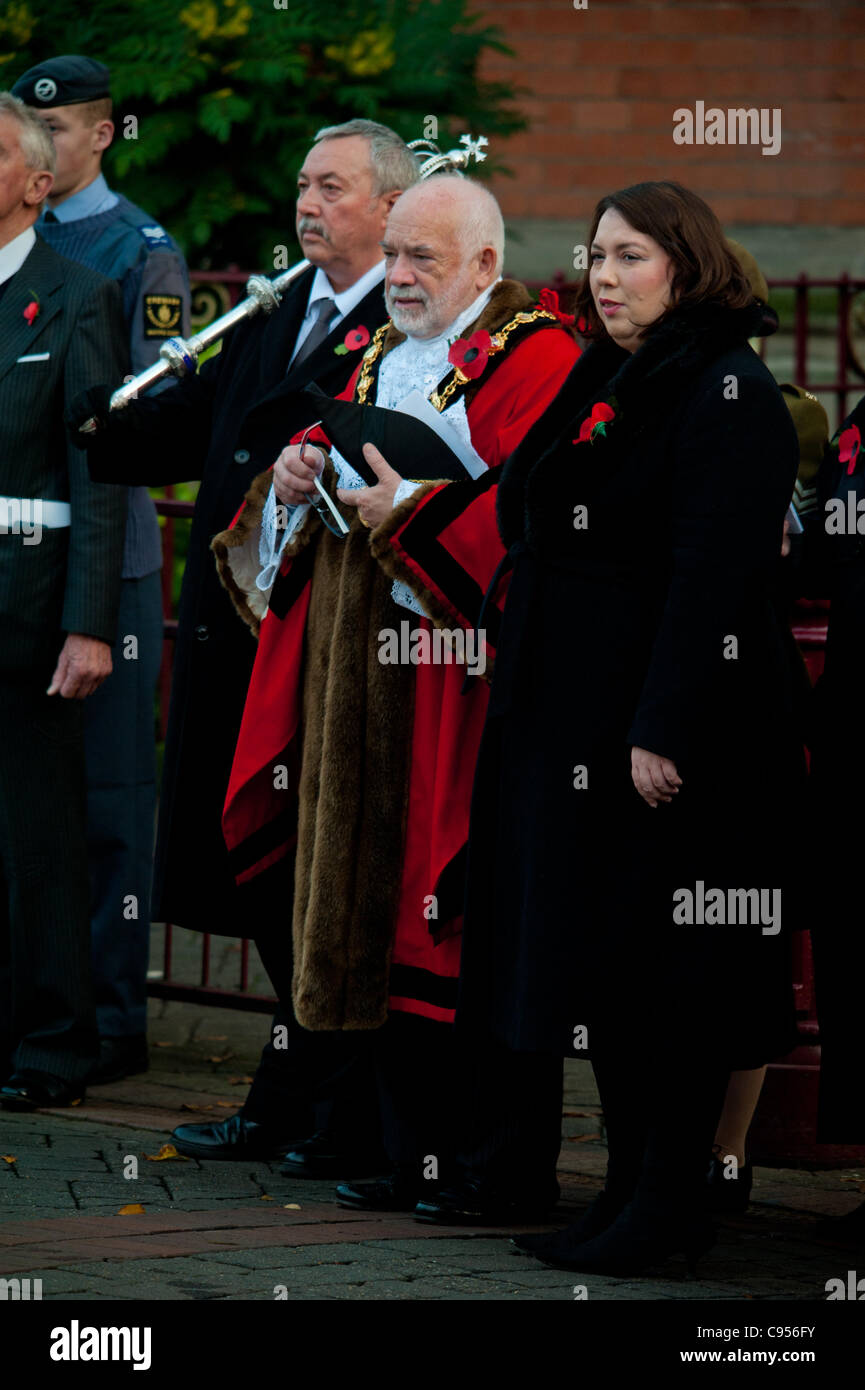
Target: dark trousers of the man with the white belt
[47, 1006]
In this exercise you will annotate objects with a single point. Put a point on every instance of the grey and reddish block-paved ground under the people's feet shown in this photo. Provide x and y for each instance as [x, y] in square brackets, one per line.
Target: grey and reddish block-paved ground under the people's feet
[213, 1231]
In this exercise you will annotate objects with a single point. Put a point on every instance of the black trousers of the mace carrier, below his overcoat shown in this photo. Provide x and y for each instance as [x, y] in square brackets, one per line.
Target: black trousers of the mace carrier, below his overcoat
[316, 1081]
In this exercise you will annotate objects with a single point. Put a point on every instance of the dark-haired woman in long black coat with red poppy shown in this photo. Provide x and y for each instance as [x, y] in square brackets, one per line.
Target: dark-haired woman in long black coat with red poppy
[640, 669]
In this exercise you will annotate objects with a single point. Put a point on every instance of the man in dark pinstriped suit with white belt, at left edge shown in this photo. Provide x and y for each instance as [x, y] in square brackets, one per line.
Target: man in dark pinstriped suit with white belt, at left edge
[60, 562]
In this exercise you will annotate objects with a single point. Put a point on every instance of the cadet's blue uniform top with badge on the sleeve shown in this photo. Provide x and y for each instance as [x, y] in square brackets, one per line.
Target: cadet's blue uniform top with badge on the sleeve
[111, 234]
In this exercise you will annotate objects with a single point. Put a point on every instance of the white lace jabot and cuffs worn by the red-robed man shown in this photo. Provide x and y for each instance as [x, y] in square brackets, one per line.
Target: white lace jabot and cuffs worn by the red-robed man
[415, 365]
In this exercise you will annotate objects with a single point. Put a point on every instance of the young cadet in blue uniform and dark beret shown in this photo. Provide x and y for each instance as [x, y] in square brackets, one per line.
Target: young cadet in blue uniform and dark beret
[104, 230]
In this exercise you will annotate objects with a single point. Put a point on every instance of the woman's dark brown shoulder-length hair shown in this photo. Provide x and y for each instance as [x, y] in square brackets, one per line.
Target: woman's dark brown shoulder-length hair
[704, 268]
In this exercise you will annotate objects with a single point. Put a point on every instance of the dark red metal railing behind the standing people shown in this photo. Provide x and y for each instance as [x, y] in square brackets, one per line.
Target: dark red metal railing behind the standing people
[810, 626]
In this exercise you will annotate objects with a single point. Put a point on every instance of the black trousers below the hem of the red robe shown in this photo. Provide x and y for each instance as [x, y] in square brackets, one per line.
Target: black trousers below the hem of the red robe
[475, 1107]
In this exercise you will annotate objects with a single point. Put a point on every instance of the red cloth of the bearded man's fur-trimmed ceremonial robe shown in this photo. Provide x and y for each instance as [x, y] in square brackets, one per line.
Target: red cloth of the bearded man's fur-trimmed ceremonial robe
[259, 824]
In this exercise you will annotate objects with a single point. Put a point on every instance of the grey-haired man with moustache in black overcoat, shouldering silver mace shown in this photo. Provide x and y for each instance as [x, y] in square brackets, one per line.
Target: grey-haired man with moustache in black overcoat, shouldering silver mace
[226, 426]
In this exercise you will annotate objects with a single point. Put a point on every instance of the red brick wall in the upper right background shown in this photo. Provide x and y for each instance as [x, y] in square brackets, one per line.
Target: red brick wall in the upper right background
[603, 85]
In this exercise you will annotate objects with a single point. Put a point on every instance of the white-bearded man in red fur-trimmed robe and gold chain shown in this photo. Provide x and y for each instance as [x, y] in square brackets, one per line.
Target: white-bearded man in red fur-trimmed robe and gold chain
[361, 733]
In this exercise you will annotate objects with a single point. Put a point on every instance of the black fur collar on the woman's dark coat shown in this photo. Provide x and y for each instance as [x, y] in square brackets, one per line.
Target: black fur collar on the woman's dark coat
[646, 384]
